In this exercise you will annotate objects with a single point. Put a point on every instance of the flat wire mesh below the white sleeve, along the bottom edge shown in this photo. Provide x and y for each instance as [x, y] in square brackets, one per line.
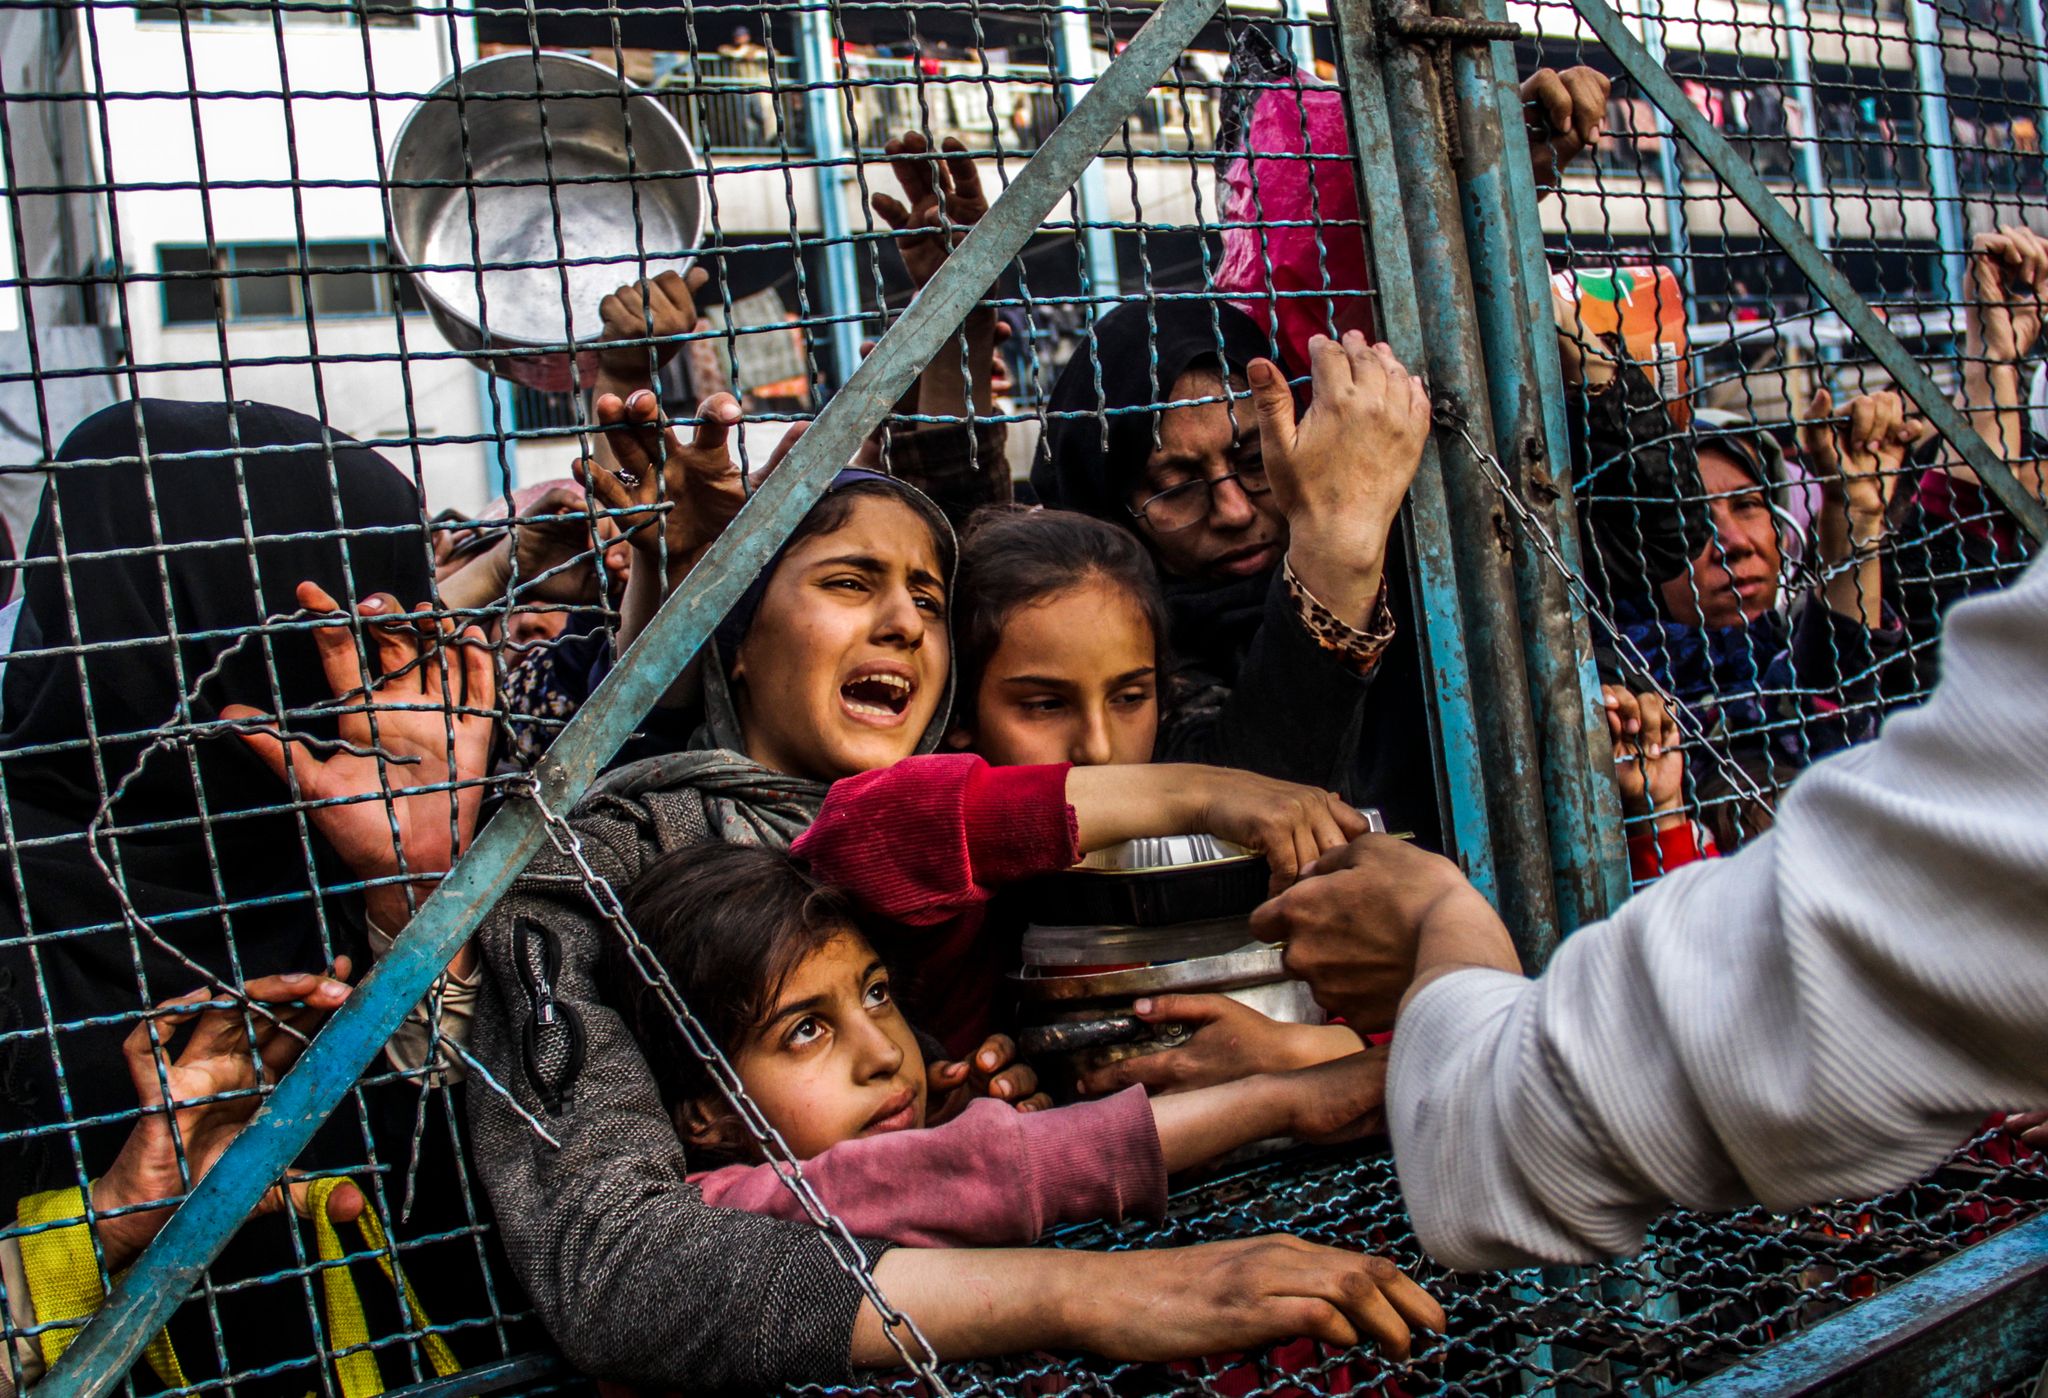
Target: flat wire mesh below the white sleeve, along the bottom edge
[1705, 1293]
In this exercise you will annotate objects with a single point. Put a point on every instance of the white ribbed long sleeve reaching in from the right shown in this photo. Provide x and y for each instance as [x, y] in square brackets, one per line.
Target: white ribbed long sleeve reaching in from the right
[1822, 1016]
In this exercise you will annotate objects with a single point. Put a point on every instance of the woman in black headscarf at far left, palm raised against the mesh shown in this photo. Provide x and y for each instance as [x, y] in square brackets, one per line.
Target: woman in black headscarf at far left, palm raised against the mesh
[173, 584]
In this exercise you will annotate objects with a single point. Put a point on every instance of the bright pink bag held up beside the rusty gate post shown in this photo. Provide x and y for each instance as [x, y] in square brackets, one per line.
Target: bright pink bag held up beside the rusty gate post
[1330, 255]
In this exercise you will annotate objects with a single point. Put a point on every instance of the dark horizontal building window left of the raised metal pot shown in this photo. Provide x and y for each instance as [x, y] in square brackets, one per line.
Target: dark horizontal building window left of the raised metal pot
[263, 281]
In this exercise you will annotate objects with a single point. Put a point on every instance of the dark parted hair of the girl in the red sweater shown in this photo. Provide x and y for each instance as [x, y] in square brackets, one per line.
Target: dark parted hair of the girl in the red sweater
[1015, 558]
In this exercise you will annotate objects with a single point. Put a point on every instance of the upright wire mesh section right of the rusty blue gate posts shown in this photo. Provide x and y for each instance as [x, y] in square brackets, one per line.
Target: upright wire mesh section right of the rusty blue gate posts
[1908, 142]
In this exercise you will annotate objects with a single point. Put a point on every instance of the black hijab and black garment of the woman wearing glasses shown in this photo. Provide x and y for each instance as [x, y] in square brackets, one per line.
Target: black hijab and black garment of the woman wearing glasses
[1254, 689]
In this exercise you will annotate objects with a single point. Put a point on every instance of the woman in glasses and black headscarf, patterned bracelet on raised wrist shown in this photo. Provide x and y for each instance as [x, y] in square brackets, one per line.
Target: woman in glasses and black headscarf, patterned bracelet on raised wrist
[1263, 545]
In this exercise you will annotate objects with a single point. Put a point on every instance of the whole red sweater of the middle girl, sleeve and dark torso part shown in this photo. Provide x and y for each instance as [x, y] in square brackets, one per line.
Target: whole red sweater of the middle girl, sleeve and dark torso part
[927, 844]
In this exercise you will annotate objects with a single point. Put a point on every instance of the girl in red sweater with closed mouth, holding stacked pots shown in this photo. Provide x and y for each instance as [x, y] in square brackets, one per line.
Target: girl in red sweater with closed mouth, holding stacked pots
[1060, 631]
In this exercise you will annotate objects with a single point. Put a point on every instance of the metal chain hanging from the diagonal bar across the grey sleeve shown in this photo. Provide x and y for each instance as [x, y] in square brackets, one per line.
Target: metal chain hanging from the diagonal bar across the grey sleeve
[847, 1254]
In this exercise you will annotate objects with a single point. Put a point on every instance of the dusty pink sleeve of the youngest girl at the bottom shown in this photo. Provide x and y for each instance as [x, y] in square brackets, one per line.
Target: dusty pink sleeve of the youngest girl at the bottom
[990, 1178]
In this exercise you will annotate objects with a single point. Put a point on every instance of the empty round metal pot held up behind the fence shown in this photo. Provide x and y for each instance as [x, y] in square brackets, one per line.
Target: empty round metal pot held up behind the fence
[495, 218]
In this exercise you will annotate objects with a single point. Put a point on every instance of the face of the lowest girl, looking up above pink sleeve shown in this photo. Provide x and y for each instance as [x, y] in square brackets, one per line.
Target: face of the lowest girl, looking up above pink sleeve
[837, 1059]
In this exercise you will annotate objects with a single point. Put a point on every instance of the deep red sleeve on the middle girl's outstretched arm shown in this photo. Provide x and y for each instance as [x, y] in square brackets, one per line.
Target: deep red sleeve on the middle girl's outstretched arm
[931, 838]
